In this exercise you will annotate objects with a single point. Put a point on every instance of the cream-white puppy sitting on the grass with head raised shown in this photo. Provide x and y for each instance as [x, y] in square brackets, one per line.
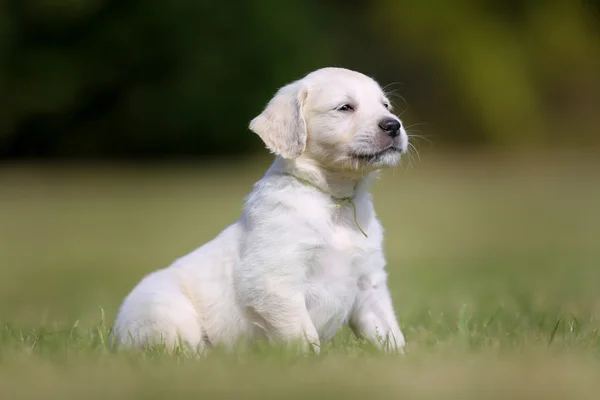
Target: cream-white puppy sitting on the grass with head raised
[306, 256]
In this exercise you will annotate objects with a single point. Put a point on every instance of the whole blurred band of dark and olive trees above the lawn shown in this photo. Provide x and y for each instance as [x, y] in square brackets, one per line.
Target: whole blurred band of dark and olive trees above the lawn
[155, 79]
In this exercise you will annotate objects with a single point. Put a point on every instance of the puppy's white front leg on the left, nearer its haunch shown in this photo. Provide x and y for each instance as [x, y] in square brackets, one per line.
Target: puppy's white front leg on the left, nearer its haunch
[270, 282]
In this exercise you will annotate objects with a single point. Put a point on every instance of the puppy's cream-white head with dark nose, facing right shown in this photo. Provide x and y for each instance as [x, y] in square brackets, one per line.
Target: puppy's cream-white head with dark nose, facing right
[336, 117]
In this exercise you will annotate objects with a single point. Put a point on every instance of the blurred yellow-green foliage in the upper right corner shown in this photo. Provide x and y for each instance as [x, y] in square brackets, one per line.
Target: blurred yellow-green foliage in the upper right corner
[501, 61]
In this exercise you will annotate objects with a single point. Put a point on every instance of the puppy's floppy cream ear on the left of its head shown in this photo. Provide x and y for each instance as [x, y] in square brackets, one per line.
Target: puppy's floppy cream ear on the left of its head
[281, 125]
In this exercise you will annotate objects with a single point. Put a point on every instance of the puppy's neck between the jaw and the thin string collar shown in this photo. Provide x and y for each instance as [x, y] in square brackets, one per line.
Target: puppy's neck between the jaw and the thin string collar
[338, 184]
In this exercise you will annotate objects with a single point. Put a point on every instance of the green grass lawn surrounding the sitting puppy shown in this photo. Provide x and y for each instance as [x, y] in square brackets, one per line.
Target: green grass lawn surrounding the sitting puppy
[494, 266]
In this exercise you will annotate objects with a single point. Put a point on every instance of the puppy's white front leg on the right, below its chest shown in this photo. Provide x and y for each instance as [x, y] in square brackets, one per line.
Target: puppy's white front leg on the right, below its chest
[373, 316]
